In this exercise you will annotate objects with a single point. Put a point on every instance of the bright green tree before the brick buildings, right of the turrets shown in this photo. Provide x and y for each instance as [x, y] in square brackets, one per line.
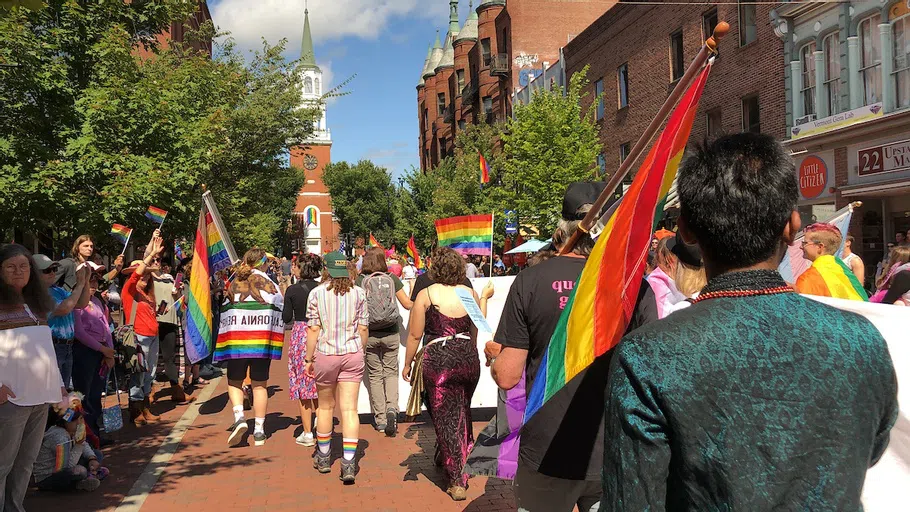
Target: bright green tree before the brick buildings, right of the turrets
[550, 143]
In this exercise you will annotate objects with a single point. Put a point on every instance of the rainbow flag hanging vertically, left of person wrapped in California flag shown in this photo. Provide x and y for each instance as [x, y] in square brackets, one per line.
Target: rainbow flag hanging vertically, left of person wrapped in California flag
[199, 298]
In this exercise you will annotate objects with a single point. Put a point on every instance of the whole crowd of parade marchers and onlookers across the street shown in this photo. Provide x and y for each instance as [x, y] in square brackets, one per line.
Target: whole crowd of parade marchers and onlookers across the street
[718, 396]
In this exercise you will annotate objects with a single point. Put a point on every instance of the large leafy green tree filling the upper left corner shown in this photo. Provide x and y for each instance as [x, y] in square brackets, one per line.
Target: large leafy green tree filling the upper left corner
[92, 131]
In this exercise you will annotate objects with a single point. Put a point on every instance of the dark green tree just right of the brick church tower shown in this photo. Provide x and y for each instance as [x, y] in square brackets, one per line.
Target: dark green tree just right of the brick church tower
[362, 197]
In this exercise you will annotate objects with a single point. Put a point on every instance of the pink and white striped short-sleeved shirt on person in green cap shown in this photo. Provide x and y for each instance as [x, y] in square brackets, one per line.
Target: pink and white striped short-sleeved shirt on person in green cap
[339, 316]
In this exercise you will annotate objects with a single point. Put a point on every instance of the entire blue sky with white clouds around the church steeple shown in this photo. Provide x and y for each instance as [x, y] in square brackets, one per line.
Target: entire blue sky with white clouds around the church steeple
[383, 42]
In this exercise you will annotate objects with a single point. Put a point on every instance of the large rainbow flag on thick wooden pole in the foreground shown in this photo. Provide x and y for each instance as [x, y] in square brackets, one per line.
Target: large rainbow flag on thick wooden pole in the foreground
[602, 303]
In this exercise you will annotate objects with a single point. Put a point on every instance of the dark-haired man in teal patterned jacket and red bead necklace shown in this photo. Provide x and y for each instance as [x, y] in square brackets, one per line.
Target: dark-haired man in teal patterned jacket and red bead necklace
[753, 398]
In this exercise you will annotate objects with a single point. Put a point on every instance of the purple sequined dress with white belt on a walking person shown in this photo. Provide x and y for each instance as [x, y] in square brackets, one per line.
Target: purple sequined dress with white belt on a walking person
[451, 369]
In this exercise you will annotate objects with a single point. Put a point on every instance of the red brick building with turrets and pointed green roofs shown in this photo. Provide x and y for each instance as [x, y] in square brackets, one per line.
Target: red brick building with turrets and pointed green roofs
[469, 77]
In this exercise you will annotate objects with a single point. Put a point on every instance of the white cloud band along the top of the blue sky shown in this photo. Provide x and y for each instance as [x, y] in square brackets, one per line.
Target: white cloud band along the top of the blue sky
[251, 20]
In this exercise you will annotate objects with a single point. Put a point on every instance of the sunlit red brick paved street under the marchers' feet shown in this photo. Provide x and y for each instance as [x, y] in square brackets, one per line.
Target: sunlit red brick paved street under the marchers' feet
[204, 474]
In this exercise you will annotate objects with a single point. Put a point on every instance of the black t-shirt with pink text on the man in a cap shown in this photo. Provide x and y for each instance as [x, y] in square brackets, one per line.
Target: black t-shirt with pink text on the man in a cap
[565, 438]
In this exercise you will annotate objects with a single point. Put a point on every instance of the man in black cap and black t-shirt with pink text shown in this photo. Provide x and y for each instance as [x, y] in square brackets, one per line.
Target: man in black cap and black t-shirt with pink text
[561, 448]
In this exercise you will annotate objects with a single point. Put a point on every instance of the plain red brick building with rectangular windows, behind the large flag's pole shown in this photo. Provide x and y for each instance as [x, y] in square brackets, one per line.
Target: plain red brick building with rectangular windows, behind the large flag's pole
[636, 53]
